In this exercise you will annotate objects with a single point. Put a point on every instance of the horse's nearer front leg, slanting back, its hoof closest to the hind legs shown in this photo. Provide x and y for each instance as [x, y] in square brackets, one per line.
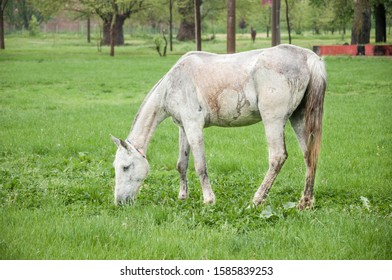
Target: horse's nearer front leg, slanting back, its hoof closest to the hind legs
[195, 138]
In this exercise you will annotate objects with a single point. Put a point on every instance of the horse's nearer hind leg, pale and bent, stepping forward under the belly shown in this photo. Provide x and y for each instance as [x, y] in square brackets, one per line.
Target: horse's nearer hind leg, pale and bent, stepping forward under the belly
[276, 158]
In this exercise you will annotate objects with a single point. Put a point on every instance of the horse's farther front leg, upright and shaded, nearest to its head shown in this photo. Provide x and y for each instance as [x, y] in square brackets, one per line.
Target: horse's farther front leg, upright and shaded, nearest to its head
[182, 164]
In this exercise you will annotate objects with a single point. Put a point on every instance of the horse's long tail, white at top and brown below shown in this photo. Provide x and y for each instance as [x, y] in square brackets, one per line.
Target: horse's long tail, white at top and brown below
[314, 107]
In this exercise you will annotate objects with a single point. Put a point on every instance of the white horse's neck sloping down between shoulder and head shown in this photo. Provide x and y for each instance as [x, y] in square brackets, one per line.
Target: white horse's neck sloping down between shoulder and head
[147, 119]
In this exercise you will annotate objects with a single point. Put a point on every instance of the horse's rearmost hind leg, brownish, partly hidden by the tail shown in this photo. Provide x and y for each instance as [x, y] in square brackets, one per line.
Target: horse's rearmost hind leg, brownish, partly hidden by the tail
[298, 123]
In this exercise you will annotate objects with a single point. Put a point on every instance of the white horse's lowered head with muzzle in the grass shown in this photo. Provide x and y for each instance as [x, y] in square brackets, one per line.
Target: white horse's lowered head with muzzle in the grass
[131, 168]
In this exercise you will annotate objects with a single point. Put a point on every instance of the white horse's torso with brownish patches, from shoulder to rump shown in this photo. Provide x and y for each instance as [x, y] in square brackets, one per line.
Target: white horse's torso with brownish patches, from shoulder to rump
[230, 89]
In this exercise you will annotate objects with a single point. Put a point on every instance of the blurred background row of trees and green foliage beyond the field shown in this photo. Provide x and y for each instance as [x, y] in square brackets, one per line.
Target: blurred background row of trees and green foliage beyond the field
[151, 16]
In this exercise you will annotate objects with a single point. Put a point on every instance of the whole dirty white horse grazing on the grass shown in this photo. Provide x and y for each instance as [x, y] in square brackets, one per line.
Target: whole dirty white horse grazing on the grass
[204, 89]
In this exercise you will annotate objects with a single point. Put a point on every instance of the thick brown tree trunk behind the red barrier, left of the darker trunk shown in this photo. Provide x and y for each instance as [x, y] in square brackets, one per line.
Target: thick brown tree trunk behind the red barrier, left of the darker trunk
[362, 23]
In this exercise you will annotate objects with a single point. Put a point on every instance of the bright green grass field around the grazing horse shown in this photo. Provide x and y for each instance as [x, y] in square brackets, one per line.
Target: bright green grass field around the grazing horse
[59, 102]
